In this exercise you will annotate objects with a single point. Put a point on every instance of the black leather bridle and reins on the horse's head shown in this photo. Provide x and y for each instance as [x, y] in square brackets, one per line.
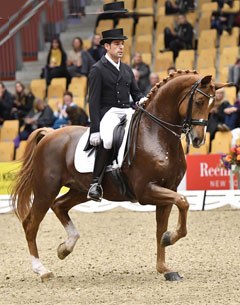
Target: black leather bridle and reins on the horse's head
[189, 121]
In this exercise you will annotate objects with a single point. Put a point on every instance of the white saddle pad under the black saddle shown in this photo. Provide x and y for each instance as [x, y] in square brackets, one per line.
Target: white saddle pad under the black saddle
[84, 163]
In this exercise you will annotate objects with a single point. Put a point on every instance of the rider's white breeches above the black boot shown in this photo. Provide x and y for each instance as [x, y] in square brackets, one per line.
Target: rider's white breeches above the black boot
[109, 122]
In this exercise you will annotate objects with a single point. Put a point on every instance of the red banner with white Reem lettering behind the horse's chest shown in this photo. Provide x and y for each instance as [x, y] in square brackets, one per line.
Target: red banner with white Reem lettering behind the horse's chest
[204, 173]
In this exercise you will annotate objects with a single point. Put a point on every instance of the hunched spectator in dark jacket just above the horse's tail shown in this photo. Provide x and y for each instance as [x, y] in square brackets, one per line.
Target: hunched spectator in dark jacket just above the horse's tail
[41, 115]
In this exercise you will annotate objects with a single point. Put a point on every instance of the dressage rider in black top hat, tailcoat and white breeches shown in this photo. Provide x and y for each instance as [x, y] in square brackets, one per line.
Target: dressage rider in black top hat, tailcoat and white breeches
[110, 84]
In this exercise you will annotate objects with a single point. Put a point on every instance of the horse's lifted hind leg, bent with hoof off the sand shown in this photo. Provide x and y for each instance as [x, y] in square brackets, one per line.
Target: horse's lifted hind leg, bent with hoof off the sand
[60, 207]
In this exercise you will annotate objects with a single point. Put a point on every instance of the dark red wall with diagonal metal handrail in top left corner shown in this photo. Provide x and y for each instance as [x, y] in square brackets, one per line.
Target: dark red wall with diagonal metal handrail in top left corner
[24, 27]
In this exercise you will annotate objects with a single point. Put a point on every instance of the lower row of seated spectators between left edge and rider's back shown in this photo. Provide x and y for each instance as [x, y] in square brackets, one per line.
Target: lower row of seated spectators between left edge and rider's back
[33, 112]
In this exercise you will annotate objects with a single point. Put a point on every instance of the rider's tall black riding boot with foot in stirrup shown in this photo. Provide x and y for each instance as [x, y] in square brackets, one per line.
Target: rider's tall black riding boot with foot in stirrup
[102, 160]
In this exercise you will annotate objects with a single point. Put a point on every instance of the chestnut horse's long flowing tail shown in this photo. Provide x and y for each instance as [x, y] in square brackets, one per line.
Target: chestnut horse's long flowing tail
[22, 188]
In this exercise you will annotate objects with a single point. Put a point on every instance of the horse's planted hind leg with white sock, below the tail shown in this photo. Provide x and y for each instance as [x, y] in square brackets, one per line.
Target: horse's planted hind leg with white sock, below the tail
[31, 225]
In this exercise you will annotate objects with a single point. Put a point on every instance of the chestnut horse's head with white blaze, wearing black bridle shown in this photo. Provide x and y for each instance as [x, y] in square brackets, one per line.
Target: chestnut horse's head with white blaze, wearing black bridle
[195, 106]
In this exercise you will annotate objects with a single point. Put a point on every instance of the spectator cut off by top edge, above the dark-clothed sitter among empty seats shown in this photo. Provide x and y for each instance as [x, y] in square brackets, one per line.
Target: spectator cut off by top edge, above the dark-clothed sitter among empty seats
[178, 6]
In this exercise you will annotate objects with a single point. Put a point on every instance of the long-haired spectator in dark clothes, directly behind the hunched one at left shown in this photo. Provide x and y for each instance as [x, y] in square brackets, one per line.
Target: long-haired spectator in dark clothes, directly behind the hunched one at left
[22, 103]
